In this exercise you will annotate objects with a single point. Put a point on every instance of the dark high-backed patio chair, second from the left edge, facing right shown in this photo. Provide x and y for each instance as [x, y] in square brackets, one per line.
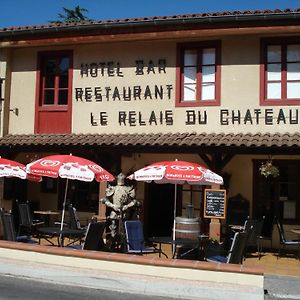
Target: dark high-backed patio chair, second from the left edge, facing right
[27, 224]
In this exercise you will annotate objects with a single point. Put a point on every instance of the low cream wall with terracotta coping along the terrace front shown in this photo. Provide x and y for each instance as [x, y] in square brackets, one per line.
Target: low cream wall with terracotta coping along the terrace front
[166, 276]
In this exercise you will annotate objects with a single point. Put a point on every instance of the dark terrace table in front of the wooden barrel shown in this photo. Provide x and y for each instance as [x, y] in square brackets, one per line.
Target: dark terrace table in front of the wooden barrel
[194, 244]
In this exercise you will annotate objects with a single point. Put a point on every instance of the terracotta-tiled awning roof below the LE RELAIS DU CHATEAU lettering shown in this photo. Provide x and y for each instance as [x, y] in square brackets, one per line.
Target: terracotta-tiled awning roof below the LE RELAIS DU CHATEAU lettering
[153, 140]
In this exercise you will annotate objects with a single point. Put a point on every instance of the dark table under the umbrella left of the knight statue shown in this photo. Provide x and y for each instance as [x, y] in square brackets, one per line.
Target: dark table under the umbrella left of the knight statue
[48, 233]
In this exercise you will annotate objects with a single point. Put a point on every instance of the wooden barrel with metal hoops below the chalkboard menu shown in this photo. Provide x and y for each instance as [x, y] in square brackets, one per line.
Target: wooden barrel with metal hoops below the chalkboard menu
[187, 228]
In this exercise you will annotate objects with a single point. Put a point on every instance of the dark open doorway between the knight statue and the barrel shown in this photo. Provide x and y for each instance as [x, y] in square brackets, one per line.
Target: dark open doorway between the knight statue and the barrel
[159, 209]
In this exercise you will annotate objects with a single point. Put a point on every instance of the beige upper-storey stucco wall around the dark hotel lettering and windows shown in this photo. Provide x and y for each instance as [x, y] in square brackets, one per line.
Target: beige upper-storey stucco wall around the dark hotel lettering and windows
[239, 89]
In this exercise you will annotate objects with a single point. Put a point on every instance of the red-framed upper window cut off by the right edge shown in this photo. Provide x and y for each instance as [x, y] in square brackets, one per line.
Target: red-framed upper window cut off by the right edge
[280, 72]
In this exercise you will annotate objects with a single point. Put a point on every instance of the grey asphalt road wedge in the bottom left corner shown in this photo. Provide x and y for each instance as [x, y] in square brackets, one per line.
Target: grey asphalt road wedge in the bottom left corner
[12, 287]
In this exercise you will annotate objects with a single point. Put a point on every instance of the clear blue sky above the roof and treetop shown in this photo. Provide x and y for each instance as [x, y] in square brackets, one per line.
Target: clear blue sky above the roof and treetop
[34, 12]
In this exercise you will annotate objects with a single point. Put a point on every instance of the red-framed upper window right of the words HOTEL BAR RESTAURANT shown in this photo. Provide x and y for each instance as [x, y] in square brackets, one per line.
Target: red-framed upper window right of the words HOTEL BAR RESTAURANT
[198, 74]
